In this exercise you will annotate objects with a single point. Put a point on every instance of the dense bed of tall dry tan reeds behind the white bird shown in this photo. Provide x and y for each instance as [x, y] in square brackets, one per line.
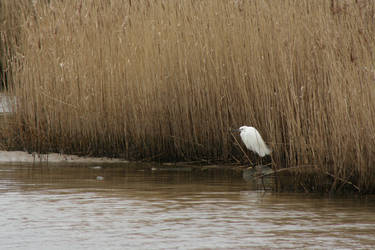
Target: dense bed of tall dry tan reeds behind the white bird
[168, 79]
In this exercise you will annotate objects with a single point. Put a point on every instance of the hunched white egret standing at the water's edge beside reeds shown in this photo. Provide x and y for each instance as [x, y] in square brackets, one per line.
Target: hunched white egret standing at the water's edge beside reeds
[253, 141]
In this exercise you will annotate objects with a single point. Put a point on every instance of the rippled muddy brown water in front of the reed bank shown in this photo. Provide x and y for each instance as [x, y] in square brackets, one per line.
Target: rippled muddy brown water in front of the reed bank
[144, 207]
